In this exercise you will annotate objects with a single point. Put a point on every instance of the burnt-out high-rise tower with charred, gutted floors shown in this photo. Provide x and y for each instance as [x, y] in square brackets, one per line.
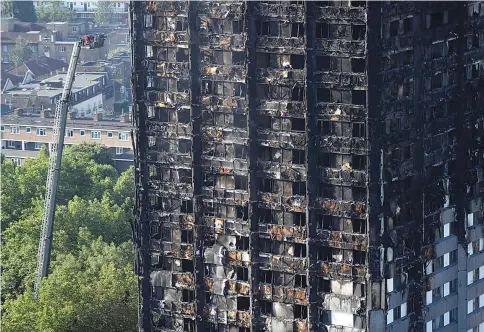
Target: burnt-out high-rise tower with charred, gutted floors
[309, 166]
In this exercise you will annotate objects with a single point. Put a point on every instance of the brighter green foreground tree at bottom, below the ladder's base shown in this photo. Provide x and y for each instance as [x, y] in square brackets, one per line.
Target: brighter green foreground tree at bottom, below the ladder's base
[91, 290]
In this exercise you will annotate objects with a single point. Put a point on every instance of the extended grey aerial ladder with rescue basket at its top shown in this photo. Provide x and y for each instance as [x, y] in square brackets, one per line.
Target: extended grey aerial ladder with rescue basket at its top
[55, 157]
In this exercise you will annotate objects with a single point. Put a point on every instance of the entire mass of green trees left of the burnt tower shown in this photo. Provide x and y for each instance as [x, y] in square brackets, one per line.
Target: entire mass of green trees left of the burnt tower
[91, 285]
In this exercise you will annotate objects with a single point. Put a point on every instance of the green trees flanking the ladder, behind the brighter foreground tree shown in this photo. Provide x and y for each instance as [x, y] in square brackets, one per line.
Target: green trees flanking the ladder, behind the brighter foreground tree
[91, 195]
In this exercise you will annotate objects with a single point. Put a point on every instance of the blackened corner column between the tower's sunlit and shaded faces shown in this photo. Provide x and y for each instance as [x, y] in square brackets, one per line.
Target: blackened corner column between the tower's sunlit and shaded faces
[375, 283]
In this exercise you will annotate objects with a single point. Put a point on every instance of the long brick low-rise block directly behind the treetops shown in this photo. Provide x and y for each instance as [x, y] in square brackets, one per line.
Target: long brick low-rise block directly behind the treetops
[22, 135]
